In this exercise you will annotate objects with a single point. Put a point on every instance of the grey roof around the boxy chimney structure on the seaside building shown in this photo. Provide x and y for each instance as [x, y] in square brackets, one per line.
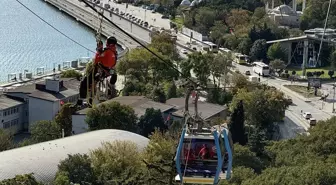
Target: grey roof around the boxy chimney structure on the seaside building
[70, 88]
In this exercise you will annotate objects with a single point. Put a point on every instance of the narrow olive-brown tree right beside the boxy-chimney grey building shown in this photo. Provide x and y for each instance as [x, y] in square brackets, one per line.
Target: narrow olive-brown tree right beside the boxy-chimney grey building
[64, 118]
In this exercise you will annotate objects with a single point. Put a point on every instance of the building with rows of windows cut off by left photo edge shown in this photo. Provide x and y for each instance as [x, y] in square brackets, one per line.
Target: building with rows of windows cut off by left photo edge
[11, 114]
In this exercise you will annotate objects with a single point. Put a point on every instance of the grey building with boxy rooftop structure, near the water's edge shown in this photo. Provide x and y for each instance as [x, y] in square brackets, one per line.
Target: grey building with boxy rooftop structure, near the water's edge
[42, 100]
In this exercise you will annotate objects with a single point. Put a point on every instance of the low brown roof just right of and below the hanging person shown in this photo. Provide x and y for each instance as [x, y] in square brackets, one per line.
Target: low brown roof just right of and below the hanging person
[138, 103]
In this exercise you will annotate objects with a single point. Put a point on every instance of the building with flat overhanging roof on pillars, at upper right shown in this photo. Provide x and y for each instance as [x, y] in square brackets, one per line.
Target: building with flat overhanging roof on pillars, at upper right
[304, 49]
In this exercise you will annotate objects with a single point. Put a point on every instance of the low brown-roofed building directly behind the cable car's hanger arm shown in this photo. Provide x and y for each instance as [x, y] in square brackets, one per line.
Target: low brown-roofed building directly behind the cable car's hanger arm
[207, 111]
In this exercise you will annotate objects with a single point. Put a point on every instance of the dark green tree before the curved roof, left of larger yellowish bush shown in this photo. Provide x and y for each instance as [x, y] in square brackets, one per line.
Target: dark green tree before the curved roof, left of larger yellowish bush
[75, 169]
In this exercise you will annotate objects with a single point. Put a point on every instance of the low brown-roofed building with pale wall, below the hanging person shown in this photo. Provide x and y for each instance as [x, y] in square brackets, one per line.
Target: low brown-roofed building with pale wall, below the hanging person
[138, 103]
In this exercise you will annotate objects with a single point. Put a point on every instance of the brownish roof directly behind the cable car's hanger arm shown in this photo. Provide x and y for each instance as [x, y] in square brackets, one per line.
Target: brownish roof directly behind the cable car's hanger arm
[206, 110]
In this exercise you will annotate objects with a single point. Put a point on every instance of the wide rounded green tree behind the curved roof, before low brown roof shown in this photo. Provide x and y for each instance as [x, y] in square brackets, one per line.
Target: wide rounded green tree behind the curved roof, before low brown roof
[112, 115]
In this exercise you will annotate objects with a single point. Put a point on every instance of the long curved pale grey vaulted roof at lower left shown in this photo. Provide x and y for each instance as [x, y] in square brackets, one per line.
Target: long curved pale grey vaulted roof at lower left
[42, 159]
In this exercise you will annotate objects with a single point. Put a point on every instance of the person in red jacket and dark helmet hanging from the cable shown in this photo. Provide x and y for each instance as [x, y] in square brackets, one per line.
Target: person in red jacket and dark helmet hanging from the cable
[105, 62]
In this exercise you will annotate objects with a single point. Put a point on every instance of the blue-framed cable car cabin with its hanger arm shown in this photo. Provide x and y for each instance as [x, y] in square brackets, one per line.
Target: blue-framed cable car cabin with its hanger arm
[204, 153]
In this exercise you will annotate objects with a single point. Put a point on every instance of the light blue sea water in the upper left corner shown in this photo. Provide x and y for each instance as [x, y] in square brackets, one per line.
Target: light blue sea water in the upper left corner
[27, 43]
